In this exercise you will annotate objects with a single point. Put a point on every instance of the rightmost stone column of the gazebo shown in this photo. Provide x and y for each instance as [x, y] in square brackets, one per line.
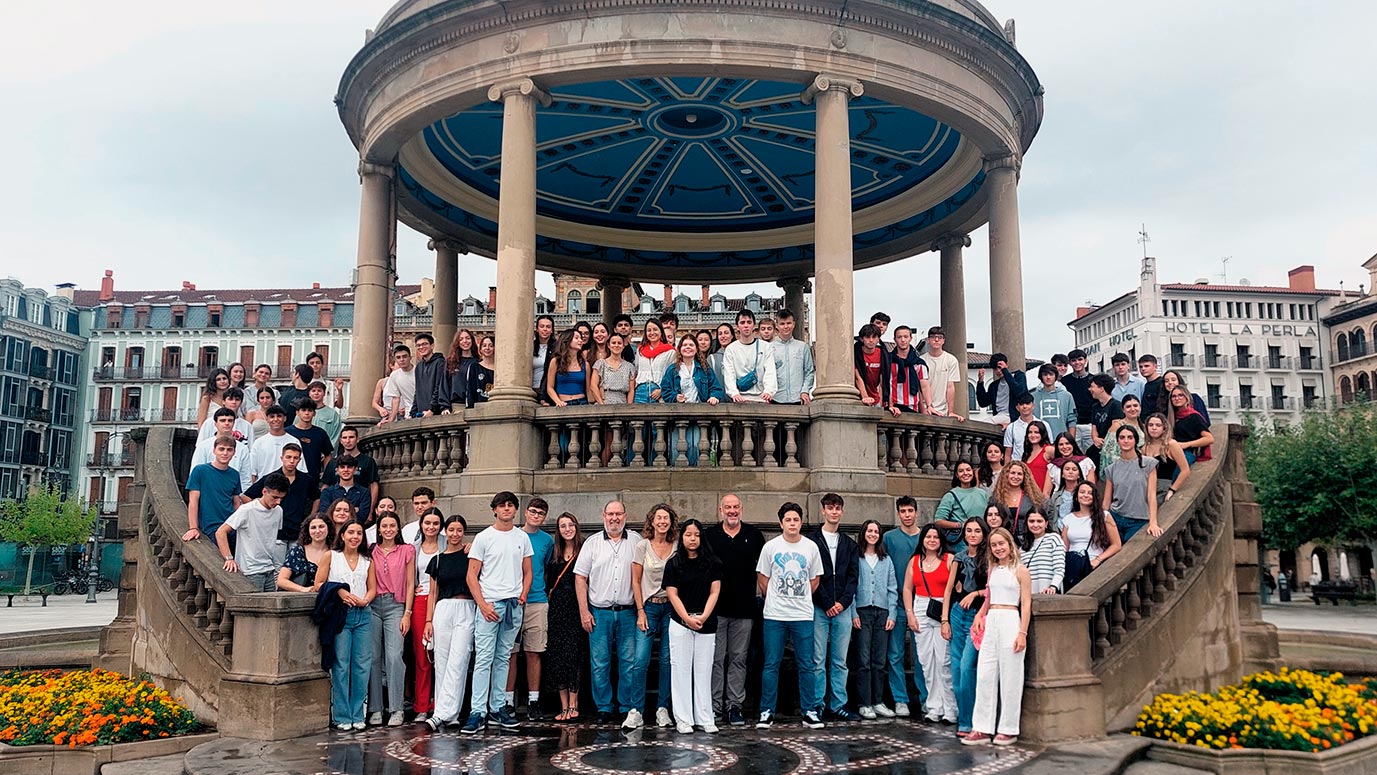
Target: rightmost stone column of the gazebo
[1002, 180]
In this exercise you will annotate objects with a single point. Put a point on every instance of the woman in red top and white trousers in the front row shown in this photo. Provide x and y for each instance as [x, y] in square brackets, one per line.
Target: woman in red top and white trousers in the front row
[925, 584]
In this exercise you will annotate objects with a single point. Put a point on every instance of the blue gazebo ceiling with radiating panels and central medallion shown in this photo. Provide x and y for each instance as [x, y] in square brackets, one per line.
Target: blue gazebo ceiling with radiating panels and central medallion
[688, 171]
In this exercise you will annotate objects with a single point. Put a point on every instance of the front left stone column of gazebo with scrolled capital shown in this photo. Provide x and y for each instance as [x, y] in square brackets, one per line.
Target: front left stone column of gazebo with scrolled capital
[517, 239]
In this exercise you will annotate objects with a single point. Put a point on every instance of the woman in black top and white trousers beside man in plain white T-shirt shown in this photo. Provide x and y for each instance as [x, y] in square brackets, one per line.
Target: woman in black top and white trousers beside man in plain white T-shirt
[450, 623]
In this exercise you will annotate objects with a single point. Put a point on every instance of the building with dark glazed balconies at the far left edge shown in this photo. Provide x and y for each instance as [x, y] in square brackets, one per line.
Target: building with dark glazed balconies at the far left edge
[41, 371]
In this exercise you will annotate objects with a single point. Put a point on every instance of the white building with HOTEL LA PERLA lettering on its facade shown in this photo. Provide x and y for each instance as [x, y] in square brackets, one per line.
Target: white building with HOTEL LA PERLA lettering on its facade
[1248, 350]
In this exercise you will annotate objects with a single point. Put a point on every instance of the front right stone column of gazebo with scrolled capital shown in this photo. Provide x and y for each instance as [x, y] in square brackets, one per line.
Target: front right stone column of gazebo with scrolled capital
[832, 236]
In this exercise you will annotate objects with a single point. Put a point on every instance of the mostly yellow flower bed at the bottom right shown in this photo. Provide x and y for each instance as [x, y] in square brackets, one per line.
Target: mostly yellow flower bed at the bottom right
[1288, 711]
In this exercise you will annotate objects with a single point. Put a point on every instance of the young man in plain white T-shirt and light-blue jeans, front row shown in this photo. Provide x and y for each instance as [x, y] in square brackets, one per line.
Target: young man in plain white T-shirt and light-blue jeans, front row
[499, 579]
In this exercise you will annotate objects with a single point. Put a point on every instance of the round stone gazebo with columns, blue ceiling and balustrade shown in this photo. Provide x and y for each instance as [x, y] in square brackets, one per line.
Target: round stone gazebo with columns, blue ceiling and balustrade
[684, 141]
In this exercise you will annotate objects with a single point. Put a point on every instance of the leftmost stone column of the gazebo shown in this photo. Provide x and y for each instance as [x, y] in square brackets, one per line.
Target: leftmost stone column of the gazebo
[372, 290]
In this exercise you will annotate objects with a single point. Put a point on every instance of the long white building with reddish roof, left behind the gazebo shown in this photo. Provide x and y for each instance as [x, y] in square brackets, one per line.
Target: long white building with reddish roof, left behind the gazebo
[151, 353]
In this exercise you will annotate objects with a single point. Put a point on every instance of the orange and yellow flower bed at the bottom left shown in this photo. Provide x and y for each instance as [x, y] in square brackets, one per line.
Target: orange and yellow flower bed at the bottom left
[86, 708]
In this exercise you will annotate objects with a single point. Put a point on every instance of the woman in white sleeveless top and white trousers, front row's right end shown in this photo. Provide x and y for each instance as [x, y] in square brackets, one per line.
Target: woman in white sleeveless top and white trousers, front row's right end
[1005, 630]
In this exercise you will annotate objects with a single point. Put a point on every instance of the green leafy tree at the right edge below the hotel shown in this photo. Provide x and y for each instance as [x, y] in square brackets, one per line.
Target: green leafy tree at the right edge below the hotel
[1317, 480]
